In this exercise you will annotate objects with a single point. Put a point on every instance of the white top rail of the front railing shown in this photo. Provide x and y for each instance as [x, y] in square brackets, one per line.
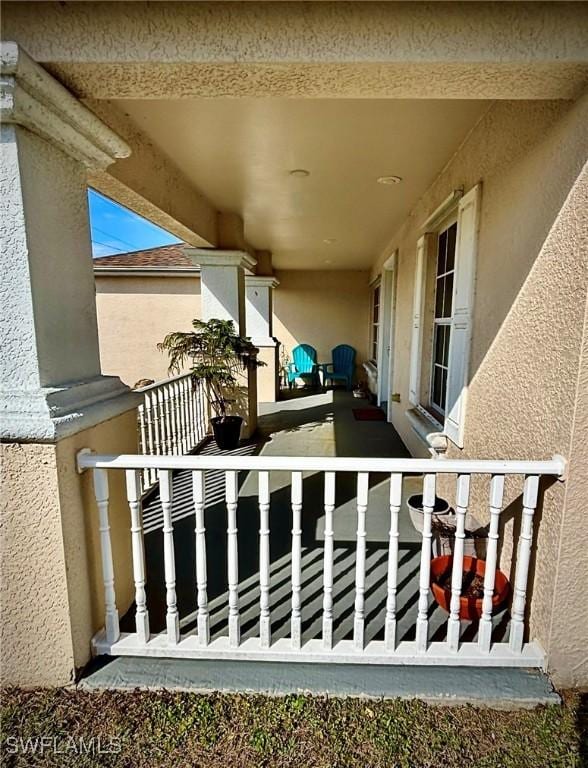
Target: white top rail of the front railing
[554, 466]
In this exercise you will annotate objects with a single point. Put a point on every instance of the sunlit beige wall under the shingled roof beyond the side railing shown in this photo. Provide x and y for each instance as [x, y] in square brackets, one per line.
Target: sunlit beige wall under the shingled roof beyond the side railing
[134, 315]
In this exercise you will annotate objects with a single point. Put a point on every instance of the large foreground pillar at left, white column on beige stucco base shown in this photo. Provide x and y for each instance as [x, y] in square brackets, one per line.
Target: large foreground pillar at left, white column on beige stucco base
[53, 396]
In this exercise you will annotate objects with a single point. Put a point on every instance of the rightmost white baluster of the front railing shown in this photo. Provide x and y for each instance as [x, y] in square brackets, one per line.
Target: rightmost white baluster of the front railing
[517, 624]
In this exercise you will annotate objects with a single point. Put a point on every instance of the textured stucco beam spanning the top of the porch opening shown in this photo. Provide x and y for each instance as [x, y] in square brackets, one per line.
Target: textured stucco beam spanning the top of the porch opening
[381, 49]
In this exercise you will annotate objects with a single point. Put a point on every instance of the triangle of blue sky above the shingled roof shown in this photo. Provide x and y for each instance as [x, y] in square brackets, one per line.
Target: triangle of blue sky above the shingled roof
[115, 229]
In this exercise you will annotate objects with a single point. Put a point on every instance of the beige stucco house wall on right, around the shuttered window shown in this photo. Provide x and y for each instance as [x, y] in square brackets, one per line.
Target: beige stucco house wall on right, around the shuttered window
[531, 283]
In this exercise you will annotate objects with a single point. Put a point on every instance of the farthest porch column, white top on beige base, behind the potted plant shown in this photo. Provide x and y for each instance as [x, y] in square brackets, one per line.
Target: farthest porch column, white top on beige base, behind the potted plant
[259, 315]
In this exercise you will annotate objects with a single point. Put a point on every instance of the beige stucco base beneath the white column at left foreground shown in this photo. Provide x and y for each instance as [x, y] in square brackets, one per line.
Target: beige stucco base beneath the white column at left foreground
[51, 583]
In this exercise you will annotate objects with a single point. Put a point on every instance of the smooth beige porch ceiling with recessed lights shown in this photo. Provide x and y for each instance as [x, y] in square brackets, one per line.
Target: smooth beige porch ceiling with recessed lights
[239, 152]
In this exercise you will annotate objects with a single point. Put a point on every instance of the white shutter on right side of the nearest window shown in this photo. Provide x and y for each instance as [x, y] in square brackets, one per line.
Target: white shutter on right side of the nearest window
[461, 326]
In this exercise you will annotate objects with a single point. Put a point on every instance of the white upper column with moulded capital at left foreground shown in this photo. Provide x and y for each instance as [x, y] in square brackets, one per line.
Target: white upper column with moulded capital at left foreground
[49, 359]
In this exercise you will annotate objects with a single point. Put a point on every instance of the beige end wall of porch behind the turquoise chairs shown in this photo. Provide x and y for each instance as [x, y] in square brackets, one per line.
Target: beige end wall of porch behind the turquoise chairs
[322, 309]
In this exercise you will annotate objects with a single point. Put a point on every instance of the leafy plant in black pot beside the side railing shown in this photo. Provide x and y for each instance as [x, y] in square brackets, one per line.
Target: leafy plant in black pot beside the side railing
[218, 355]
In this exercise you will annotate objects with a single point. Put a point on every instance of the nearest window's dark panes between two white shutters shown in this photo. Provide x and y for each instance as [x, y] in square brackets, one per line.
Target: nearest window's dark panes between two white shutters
[442, 318]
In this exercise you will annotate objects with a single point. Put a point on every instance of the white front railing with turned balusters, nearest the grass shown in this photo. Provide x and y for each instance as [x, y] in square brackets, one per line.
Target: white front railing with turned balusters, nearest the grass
[198, 643]
